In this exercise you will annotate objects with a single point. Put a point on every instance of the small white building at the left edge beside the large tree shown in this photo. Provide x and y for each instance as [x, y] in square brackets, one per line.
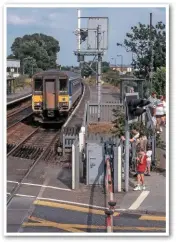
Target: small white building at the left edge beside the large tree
[13, 67]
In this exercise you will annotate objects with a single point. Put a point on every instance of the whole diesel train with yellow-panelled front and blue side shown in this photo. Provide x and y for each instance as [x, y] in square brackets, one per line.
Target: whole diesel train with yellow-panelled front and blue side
[54, 94]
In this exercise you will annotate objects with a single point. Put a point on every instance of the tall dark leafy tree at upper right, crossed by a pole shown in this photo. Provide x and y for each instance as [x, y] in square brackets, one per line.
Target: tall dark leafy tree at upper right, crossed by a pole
[138, 42]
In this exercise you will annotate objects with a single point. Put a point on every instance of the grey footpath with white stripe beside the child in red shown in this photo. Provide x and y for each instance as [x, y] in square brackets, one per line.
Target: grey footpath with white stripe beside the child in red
[153, 199]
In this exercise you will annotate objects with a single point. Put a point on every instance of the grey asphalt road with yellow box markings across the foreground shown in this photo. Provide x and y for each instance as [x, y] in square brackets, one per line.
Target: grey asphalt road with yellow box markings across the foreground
[49, 216]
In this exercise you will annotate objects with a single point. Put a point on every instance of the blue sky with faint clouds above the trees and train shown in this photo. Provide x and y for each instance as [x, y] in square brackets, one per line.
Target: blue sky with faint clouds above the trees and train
[61, 22]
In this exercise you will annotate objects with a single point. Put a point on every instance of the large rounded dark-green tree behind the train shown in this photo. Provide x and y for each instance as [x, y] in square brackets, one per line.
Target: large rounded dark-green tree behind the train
[41, 48]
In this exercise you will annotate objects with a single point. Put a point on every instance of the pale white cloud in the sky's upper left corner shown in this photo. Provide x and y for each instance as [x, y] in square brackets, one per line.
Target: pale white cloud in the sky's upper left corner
[19, 20]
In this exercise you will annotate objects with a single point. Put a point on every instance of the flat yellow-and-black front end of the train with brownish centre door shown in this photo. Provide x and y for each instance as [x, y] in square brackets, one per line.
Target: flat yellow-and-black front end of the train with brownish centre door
[50, 96]
